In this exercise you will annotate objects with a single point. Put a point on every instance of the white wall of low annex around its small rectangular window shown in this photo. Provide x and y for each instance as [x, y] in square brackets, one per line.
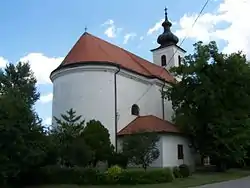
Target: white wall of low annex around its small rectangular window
[170, 151]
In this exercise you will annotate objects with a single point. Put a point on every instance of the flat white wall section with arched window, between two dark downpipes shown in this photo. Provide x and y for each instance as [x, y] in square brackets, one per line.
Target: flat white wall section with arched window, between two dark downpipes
[131, 91]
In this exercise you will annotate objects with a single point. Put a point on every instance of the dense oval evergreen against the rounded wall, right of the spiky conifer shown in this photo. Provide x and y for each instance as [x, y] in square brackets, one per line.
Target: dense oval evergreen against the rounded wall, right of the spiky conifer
[97, 138]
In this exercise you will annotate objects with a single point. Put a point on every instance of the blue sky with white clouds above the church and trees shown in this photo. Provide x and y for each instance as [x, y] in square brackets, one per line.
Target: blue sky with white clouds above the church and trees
[43, 31]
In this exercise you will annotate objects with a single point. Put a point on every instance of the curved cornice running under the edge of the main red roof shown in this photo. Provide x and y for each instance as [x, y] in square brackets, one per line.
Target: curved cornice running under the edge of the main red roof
[105, 66]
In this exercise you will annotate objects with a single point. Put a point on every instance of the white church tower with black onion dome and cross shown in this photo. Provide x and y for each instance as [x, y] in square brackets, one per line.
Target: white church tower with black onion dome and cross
[168, 54]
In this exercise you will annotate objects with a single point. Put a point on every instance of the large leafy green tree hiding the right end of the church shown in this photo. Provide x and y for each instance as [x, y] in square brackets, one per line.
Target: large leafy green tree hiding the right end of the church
[212, 102]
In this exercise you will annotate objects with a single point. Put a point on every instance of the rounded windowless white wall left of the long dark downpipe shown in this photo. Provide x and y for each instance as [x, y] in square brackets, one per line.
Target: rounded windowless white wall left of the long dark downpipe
[90, 93]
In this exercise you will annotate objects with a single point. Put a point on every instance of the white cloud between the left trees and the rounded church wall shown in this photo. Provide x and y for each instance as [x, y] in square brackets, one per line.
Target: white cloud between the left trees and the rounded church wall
[42, 66]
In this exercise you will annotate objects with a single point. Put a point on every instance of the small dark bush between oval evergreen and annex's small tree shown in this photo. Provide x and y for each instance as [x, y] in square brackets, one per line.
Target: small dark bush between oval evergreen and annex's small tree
[118, 159]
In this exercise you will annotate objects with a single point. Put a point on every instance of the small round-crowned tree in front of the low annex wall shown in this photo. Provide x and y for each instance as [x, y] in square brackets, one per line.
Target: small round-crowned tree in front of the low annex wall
[141, 148]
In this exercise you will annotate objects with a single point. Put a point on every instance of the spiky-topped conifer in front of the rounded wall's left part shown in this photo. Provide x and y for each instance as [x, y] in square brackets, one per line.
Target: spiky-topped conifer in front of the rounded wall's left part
[71, 146]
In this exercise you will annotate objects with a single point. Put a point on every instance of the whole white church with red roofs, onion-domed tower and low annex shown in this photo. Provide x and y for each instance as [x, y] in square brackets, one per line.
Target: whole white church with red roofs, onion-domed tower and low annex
[104, 82]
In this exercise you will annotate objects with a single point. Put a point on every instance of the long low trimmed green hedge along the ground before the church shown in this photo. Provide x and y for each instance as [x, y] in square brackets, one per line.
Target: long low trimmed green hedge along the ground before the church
[82, 176]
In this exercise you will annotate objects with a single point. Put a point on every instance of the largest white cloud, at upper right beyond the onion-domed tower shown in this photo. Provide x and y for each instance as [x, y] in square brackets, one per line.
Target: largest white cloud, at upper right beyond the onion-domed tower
[232, 14]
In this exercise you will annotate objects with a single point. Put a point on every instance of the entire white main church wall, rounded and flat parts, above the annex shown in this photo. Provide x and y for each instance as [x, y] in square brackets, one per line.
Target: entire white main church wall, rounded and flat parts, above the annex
[90, 91]
